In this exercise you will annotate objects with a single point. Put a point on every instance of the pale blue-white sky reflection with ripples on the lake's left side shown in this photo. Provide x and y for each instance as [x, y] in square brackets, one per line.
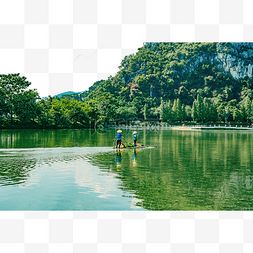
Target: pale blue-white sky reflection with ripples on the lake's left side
[59, 179]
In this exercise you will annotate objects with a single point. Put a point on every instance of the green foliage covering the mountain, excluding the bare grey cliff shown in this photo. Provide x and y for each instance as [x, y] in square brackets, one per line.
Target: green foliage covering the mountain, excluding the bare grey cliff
[185, 71]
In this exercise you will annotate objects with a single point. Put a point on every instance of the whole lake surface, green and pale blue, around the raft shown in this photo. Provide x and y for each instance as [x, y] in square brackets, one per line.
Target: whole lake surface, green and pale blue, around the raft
[78, 170]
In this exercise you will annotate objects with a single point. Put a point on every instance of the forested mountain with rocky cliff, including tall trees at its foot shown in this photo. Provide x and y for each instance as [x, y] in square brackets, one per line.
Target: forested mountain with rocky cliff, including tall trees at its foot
[161, 75]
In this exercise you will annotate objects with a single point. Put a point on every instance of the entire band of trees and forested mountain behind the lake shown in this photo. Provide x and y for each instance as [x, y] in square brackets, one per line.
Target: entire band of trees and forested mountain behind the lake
[166, 82]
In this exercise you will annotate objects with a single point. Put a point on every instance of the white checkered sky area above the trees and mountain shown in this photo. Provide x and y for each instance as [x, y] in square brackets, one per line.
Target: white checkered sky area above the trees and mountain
[42, 41]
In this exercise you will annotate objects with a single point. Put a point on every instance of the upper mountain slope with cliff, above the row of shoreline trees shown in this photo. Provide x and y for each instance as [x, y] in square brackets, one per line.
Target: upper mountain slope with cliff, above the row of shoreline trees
[183, 70]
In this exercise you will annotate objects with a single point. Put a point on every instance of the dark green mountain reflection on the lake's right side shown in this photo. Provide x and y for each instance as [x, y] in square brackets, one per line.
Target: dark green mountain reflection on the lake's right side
[189, 171]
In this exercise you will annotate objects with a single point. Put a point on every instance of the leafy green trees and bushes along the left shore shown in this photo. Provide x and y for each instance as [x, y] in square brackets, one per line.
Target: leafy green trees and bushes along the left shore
[22, 107]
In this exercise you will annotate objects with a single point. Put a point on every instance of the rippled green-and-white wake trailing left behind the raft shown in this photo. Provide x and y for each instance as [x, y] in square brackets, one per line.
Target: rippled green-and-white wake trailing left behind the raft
[16, 164]
